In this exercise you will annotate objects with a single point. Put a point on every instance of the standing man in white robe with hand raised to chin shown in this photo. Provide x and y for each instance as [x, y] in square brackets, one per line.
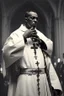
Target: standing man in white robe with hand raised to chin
[20, 60]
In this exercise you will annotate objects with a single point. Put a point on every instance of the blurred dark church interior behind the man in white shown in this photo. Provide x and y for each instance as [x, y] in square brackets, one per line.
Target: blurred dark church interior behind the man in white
[51, 23]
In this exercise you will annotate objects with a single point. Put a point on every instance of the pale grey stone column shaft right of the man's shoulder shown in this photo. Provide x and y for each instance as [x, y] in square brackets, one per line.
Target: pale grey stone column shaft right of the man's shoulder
[57, 37]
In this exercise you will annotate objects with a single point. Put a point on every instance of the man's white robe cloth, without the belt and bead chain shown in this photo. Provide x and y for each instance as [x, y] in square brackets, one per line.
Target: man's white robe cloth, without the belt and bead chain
[16, 49]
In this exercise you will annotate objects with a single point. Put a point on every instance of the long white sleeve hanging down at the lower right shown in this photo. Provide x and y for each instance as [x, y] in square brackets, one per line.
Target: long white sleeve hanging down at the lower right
[55, 82]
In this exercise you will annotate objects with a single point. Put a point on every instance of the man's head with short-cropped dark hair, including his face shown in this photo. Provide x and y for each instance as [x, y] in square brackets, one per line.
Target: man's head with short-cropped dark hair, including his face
[31, 19]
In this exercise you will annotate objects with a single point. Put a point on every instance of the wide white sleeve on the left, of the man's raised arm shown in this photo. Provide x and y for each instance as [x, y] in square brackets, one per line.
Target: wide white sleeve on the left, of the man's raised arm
[13, 48]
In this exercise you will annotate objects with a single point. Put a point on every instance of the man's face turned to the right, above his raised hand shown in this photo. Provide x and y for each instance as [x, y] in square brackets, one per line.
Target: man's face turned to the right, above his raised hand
[32, 20]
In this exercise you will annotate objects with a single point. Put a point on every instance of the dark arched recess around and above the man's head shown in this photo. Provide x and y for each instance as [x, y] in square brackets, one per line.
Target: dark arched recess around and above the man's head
[19, 13]
